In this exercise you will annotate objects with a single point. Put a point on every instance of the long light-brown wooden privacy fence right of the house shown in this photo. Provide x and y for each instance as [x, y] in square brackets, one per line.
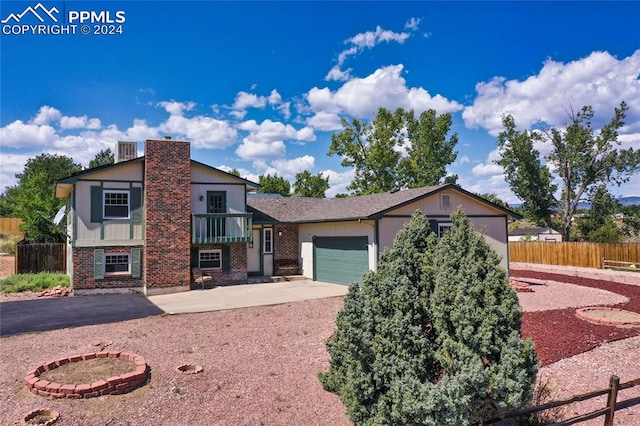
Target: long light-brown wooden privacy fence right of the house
[589, 255]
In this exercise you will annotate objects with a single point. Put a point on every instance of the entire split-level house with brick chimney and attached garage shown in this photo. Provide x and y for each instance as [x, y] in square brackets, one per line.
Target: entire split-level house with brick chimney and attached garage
[143, 223]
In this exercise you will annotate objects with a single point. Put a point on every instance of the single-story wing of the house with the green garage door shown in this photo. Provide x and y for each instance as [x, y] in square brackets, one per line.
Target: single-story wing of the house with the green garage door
[338, 239]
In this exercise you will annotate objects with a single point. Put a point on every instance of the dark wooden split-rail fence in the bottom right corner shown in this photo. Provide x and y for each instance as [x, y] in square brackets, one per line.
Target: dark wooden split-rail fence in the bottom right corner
[608, 412]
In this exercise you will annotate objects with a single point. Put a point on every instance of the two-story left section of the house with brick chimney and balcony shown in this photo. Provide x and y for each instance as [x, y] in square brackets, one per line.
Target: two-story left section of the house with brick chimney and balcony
[140, 224]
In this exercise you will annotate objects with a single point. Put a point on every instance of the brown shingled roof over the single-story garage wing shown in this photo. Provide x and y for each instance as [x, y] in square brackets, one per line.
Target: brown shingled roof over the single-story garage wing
[306, 209]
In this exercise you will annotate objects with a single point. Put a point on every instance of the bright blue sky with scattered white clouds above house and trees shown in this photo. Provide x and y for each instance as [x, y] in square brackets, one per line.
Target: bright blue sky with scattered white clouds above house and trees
[261, 86]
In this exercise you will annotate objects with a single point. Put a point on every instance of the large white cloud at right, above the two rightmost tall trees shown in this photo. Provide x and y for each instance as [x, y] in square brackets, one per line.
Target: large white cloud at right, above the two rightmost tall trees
[600, 80]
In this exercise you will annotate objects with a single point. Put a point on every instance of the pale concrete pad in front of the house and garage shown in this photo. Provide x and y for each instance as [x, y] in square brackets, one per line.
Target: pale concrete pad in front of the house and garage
[241, 296]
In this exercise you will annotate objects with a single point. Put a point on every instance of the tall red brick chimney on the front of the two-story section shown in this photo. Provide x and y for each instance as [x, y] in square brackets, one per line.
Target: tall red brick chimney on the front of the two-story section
[167, 195]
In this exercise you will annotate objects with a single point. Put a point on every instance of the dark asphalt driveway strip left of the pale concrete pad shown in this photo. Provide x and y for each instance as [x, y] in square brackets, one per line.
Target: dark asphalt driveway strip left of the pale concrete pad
[28, 316]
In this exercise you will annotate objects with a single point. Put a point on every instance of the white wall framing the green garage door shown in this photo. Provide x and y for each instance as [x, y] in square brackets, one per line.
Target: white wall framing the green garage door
[306, 232]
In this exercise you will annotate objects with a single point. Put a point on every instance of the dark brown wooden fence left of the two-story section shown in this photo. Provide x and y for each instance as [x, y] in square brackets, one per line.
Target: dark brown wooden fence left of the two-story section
[34, 258]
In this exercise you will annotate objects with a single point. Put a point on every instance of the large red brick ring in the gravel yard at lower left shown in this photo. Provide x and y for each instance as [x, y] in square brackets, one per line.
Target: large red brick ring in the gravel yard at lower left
[110, 386]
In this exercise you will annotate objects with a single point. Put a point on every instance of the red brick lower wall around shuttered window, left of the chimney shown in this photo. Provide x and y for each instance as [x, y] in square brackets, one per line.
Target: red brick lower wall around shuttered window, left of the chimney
[83, 270]
